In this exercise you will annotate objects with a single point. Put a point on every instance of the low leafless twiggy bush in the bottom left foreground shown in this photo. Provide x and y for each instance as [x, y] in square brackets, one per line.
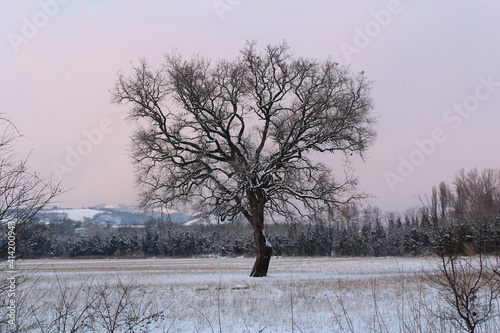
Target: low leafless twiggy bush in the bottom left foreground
[90, 307]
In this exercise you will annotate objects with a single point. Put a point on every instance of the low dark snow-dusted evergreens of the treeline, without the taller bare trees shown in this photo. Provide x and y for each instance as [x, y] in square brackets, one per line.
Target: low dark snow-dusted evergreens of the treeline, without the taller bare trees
[409, 235]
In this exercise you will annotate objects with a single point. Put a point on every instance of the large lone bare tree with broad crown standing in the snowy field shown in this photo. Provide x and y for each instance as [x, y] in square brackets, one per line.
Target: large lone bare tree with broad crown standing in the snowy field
[240, 137]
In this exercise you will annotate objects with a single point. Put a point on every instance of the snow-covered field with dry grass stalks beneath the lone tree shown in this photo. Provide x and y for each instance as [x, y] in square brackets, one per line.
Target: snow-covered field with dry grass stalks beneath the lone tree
[217, 295]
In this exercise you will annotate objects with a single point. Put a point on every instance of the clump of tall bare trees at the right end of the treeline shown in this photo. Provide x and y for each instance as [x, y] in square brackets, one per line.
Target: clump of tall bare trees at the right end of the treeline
[466, 215]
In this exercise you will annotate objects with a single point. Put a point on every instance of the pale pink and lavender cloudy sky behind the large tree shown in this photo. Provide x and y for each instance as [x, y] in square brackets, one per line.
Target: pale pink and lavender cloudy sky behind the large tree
[435, 65]
